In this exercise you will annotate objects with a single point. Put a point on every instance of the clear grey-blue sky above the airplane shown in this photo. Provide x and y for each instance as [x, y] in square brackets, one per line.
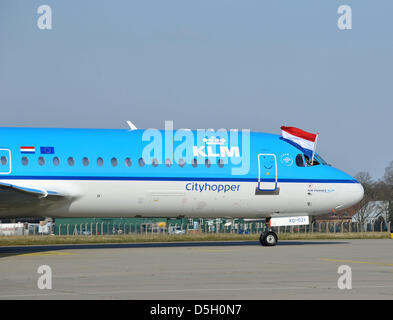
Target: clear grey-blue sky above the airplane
[248, 64]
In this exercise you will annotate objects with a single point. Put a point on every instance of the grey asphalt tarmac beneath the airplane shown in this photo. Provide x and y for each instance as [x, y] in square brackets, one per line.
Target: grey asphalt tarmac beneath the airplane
[200, 270]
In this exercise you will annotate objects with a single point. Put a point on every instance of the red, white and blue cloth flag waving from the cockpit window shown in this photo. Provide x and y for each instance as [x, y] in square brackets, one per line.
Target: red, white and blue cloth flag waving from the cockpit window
[303, 140]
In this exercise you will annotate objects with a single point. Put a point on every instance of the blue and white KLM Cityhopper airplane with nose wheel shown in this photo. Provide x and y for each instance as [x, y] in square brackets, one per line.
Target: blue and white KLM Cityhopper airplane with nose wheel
[57, 172]
